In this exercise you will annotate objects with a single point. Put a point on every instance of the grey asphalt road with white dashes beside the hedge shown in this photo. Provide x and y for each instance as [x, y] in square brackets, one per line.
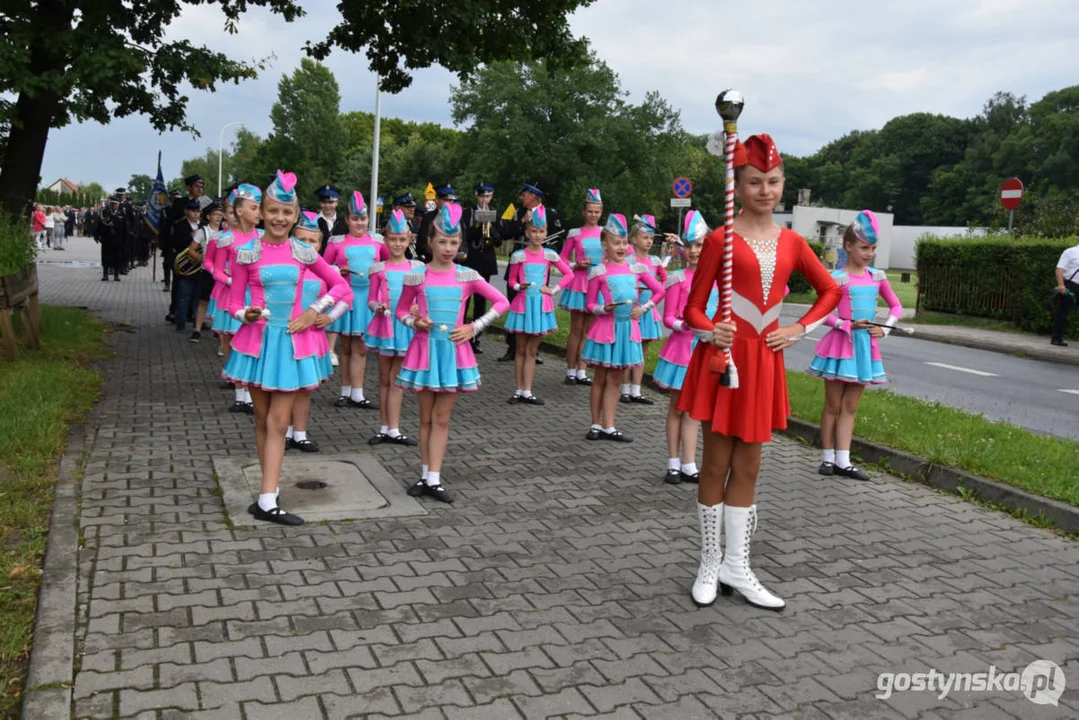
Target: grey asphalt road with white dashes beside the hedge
[1043, 398]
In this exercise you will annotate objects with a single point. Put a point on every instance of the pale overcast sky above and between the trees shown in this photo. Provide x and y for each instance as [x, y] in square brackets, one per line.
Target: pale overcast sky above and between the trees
[811, 72]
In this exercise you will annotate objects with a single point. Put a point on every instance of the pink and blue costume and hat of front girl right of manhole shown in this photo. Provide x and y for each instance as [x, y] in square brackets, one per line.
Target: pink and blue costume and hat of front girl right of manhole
[433, 361]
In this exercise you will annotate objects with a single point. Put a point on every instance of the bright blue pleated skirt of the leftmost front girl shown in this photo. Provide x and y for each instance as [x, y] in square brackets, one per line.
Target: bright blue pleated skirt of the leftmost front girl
[277, 369]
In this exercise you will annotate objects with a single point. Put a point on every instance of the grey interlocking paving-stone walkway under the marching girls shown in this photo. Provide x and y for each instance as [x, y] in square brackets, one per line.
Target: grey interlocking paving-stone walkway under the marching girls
[557, 586]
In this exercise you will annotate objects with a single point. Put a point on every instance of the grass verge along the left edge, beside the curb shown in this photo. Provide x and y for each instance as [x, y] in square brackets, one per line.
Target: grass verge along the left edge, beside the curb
[40, 396]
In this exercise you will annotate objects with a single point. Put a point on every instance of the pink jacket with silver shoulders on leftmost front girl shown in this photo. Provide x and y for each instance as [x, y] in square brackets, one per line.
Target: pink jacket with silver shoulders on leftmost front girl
[253, 261]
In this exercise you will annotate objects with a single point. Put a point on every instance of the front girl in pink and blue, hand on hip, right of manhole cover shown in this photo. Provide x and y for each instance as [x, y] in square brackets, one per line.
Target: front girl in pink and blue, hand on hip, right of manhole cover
[440, 362]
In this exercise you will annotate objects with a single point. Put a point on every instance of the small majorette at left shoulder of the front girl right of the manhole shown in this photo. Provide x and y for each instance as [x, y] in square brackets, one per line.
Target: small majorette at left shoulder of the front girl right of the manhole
[386, 335]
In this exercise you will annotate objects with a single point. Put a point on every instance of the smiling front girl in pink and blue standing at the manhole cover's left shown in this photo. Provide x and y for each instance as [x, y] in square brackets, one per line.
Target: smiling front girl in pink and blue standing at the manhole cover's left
[278, 350]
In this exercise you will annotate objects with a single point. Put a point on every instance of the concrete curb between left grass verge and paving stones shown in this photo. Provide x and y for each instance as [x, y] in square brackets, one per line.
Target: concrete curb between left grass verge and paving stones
[52, 658]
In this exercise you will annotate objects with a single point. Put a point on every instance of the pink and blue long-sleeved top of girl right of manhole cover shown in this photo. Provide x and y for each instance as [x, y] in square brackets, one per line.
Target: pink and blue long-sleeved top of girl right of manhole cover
[444, 290]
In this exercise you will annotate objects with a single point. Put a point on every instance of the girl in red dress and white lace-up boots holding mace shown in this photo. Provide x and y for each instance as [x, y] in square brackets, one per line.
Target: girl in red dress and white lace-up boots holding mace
[741, 420]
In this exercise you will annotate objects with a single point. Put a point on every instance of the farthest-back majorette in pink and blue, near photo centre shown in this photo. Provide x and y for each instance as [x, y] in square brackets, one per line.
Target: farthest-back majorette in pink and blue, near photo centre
[583, 251]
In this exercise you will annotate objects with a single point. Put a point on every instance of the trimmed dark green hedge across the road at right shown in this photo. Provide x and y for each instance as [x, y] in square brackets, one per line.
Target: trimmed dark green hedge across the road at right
[999, 277]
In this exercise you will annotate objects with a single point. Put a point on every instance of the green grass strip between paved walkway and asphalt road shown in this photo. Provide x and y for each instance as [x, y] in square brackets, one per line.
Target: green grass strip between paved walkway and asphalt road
[939, 434]
